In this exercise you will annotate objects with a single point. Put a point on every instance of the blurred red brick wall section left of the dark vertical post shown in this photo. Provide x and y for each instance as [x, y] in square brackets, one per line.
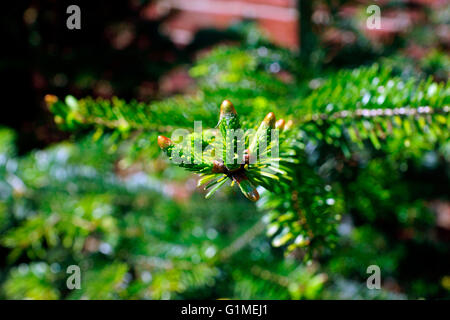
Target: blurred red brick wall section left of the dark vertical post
[278, 18]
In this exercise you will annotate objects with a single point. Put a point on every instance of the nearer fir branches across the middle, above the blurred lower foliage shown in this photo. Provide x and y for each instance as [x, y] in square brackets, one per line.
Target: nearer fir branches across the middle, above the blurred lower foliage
[350, 116]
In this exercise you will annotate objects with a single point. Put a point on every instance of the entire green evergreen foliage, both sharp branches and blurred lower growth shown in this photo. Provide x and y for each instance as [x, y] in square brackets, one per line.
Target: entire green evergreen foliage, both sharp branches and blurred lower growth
[363, 154]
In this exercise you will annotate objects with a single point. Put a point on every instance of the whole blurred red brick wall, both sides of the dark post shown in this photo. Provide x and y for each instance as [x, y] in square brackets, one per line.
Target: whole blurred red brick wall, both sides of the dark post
[278, 18]
